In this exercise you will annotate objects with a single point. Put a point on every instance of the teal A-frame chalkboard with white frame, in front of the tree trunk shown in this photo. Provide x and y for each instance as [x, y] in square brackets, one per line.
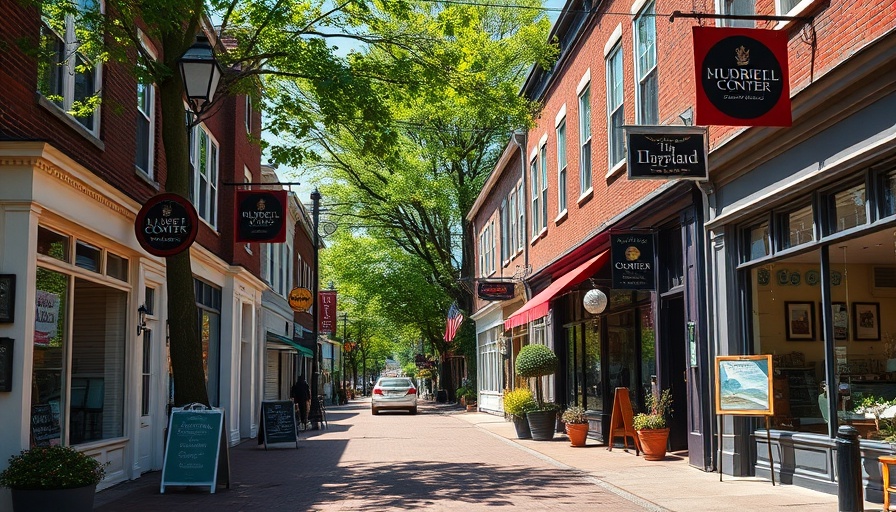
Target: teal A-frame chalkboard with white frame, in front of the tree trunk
[194, 447]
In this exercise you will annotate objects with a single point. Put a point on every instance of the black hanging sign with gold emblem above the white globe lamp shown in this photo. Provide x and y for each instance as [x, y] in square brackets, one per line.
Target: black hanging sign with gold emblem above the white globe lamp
[632, 255]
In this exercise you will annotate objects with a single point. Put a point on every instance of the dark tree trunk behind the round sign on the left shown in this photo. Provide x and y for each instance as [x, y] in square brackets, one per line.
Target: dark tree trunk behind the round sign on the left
[185, 348]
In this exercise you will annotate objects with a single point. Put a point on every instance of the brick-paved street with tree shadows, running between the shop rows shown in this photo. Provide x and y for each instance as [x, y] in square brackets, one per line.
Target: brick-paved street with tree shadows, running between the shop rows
[394, 461]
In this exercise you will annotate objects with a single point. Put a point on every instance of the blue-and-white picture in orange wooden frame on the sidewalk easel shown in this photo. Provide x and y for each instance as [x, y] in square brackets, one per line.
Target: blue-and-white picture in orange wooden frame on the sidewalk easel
[744, 385]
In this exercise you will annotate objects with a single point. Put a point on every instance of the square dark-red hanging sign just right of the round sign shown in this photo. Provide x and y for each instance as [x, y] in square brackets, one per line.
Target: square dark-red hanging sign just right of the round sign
[260, 216]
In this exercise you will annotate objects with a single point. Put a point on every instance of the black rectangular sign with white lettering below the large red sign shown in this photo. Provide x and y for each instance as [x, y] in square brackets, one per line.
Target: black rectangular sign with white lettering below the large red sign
[666, 152]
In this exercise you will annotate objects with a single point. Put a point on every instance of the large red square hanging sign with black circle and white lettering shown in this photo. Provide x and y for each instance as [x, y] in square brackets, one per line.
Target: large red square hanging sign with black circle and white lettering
[742, 77]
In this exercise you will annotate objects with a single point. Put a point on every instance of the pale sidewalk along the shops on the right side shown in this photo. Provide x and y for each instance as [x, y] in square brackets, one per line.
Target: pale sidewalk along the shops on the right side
[668, 485]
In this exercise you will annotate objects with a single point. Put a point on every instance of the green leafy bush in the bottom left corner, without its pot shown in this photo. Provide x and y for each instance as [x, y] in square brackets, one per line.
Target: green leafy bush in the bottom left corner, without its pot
[51, 467]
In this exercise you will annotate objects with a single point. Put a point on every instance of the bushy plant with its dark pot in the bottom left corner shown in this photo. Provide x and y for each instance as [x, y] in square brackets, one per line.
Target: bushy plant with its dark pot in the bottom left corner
[45, 476]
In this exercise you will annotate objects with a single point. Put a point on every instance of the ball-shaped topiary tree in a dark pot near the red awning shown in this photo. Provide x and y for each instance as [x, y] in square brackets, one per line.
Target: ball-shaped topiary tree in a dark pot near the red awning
[537, 361]
